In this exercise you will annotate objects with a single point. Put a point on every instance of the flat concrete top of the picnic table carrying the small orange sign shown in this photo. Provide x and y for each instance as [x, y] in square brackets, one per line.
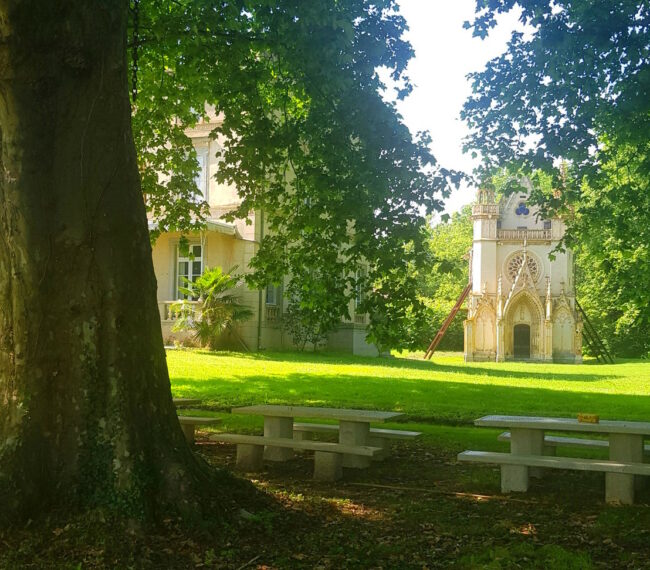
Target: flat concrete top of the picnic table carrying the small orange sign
[565, 424]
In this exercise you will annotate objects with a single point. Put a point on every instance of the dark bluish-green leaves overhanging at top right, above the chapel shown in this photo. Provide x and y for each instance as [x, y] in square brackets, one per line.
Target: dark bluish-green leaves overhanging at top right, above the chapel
[580, 70]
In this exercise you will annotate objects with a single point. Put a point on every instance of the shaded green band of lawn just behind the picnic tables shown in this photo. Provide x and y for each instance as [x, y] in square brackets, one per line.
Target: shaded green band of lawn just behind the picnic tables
[429, 401]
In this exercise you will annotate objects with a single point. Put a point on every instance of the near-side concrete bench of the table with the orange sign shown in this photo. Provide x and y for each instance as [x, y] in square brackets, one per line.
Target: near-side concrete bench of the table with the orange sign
[514, 471]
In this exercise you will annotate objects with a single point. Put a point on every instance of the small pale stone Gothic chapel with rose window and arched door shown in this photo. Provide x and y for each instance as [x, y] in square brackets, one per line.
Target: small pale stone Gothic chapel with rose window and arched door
[521, 304]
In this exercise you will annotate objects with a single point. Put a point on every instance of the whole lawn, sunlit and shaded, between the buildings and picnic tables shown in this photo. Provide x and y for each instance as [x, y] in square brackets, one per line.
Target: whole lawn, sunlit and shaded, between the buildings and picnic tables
[445, 389]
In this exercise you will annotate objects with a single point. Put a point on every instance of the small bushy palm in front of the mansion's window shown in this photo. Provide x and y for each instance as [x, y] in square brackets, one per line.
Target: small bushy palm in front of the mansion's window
[218, 308]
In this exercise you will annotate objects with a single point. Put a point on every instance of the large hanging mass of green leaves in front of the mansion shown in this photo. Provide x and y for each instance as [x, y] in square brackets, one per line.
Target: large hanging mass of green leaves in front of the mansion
[305, 135]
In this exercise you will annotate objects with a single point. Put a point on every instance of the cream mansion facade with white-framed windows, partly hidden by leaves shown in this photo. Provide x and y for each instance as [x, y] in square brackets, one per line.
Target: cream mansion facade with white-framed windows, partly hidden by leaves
[228, 245]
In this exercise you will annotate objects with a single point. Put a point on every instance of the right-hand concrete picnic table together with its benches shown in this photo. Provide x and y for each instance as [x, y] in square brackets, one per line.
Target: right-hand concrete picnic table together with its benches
[527, 450]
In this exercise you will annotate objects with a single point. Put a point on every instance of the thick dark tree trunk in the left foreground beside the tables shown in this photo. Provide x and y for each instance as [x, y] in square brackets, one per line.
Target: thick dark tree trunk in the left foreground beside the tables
[85, 402]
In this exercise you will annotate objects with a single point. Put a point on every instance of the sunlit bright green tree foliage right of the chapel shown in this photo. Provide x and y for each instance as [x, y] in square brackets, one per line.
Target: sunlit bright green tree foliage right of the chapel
[613, 253]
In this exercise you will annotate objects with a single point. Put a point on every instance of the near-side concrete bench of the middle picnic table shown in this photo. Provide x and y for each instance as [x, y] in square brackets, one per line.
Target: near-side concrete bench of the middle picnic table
[328, 465]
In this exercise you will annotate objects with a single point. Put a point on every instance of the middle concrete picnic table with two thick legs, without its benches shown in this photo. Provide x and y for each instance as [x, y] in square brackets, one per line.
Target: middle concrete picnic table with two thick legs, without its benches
[354, 426]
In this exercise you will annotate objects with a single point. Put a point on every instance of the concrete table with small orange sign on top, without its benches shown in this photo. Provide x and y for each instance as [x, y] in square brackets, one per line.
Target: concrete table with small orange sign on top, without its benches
[625, 443]
